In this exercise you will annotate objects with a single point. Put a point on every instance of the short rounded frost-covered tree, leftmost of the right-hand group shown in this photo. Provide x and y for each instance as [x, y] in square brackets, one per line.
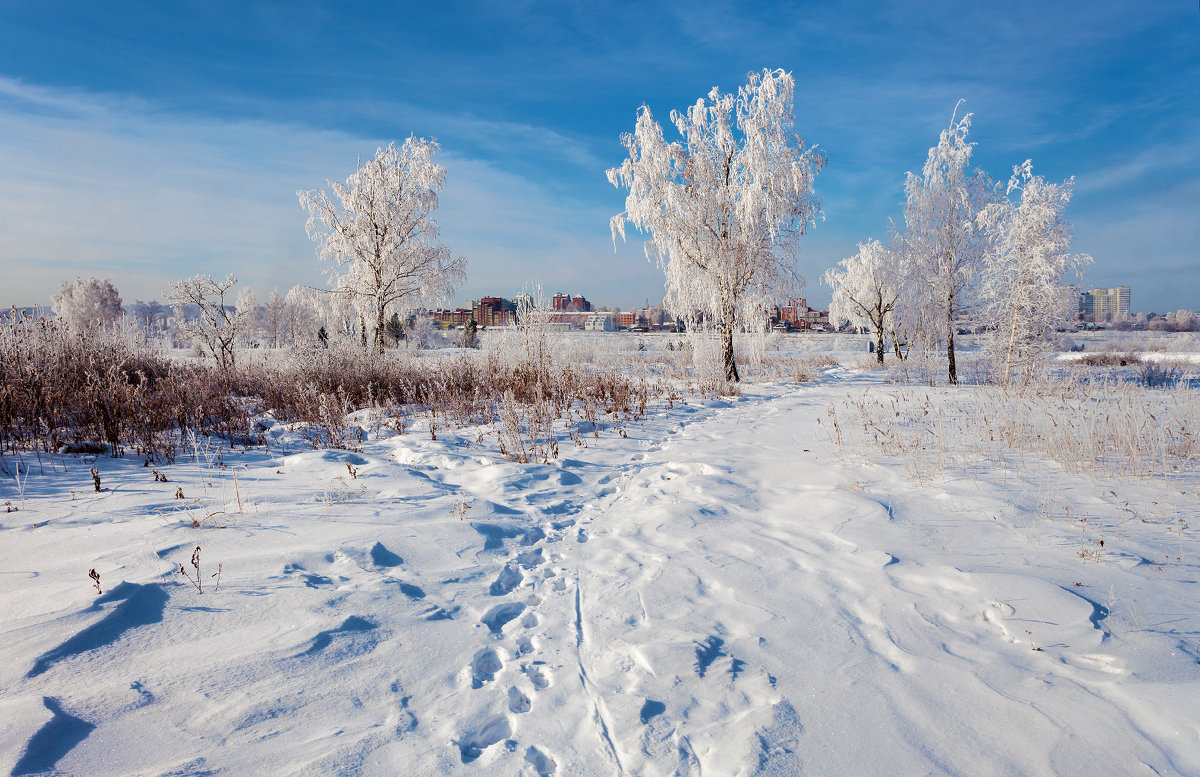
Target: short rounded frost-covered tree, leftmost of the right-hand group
[867, 291]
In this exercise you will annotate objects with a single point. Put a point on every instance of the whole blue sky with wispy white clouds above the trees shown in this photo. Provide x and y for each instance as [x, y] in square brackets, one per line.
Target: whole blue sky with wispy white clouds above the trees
[146, 142]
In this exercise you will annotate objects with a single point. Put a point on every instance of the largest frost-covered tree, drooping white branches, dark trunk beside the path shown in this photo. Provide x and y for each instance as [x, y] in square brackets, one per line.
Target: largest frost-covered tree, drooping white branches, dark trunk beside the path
[727, 206]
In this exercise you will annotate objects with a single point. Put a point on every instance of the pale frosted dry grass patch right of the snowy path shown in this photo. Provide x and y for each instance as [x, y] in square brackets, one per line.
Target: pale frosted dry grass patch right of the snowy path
[1101, 429]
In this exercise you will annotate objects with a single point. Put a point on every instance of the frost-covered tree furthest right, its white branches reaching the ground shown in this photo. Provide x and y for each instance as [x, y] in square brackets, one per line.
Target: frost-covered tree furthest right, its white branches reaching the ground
[1023, 302]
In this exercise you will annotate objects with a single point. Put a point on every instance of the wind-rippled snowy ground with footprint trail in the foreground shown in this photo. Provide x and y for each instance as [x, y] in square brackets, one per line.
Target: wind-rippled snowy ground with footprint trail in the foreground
[721, 593]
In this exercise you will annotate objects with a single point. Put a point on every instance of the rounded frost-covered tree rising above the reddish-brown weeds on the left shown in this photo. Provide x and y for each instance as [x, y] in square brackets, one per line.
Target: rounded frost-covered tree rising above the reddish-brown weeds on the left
[381, 238]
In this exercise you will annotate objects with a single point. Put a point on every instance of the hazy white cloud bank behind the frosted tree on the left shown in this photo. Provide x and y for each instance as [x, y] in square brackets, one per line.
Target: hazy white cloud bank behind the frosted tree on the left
[112, 188]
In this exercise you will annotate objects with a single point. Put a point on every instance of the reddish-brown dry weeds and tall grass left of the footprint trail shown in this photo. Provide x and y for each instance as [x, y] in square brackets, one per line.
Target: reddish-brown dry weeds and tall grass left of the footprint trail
[58, 387]
